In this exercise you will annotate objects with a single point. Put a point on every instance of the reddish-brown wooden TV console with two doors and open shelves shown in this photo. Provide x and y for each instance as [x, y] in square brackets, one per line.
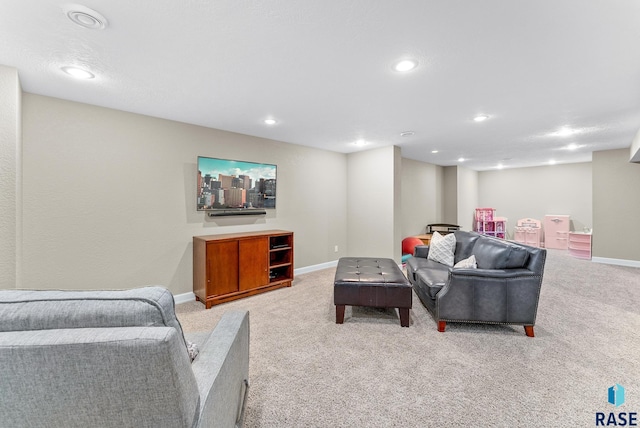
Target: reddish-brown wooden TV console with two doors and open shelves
[235, 265]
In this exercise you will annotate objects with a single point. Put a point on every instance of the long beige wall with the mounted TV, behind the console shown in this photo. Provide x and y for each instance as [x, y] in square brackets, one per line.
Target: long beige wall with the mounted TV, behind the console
[109, 196]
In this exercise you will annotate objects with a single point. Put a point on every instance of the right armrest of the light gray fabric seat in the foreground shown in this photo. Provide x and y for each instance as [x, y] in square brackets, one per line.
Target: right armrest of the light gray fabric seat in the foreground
[222, 371]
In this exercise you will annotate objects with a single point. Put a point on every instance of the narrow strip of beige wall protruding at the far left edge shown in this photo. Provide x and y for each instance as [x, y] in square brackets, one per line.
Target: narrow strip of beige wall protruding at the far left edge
[10, 177]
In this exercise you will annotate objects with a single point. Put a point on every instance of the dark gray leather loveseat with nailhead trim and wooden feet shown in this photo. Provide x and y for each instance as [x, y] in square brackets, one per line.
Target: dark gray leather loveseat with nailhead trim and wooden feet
[503, 289]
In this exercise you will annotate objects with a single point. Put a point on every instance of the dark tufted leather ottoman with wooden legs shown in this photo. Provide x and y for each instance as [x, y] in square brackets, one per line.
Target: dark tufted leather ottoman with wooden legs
[368, 281]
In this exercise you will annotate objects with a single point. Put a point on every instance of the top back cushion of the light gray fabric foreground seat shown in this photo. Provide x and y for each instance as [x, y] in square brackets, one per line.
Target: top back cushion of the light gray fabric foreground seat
[61, 309]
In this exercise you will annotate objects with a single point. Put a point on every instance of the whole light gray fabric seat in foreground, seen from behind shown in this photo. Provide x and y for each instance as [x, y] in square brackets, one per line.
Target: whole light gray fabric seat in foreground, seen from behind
[116, 359]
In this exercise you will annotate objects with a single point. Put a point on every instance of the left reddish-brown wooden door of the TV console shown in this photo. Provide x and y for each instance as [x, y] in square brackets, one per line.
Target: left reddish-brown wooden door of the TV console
[222, 267]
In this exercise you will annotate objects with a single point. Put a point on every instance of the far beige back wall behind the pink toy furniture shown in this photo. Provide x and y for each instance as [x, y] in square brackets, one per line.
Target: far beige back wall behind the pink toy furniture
[537, 191]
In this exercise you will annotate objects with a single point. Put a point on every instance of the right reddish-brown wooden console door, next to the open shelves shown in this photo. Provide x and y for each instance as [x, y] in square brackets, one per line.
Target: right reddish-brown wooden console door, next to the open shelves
[254, 263]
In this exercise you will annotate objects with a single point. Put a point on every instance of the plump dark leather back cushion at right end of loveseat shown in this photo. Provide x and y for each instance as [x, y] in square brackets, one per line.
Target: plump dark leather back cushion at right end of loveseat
[496, 254]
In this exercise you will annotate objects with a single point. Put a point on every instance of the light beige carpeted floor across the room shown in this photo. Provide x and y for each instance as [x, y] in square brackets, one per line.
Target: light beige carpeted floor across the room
[307, 371]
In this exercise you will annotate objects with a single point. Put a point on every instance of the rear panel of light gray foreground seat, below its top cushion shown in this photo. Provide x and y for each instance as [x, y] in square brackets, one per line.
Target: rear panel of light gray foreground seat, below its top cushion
[97, 377]
